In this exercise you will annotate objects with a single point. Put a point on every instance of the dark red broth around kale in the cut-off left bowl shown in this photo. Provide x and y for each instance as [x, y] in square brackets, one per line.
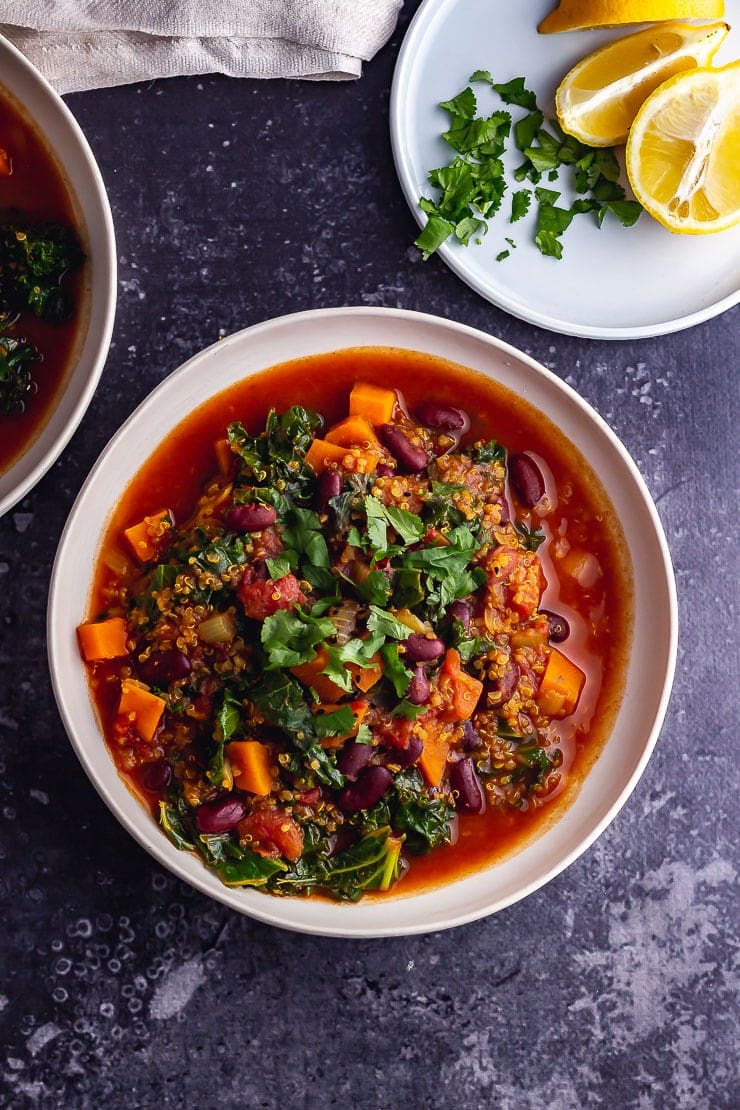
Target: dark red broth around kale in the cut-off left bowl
[36, 187]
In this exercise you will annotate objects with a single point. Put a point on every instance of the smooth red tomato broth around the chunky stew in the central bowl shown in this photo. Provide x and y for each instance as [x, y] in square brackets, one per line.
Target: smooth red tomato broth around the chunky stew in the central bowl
[601, 631]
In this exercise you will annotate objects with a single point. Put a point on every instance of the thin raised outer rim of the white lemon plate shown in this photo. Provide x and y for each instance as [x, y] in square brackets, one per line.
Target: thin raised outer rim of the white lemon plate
[455, 260]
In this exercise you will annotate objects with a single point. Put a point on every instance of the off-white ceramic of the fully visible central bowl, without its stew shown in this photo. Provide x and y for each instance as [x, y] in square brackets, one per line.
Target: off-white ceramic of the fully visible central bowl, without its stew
[652, 664]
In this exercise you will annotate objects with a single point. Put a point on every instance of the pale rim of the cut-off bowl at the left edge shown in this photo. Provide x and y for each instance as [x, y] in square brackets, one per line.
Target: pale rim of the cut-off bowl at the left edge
[104, 292]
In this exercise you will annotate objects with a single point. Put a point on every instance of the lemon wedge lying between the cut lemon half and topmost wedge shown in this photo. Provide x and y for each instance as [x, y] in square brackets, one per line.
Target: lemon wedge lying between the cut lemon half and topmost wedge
[600, 98]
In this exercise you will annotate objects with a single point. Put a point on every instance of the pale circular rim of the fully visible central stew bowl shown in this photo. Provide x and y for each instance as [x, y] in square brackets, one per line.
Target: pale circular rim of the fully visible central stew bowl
[141, 825]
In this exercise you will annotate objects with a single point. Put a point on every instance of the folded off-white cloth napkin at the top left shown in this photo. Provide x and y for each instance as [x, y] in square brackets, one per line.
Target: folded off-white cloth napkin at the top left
[94, 44]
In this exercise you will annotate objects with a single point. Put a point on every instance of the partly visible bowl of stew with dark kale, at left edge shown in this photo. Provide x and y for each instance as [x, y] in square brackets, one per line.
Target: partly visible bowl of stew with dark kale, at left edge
[57, 276]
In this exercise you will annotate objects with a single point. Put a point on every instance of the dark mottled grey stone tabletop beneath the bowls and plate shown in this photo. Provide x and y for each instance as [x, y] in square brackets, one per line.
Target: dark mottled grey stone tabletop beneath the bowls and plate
[614, 986]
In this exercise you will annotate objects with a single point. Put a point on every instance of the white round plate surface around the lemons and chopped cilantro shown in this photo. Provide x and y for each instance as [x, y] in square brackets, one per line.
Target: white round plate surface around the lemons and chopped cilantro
[612, 284]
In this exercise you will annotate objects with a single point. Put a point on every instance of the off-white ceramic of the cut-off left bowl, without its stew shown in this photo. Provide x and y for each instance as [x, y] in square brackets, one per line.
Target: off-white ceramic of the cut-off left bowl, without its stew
[52, 117]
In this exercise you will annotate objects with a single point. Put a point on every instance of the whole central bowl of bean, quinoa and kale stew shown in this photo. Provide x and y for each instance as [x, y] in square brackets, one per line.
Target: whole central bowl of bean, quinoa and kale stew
[363, 624]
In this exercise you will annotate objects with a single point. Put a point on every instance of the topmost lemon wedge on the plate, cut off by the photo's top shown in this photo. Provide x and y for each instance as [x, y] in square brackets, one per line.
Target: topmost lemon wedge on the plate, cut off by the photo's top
[582, 15]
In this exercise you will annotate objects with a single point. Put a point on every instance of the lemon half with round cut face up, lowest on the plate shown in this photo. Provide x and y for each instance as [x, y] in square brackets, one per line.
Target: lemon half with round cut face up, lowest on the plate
[683, 158]
